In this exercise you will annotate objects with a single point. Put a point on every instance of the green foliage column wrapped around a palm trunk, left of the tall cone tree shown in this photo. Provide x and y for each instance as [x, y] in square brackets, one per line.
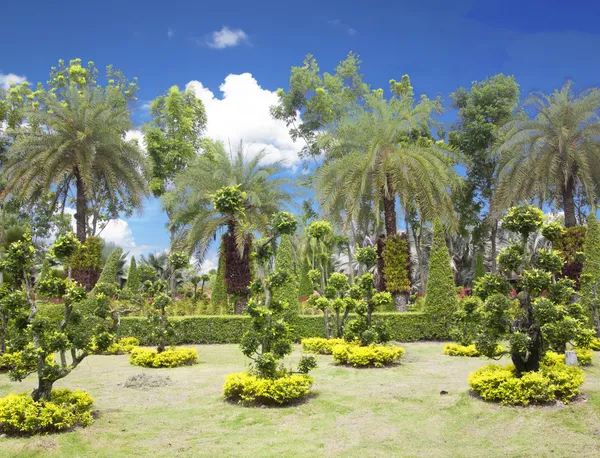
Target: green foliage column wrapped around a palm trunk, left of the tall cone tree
[396, 264]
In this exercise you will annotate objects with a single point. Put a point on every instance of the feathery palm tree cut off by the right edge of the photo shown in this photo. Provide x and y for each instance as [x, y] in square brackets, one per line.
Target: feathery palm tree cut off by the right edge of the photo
[551, 155]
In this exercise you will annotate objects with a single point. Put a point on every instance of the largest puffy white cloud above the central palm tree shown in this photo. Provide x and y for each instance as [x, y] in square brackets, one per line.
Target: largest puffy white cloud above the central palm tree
[242, 114]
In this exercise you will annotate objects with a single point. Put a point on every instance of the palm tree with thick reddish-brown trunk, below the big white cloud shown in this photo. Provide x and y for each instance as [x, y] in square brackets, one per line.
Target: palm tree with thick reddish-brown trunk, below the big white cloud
[258, 192]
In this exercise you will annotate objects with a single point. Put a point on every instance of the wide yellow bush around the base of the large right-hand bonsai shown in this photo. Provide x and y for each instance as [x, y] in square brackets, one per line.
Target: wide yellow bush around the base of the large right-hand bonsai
[554, 381]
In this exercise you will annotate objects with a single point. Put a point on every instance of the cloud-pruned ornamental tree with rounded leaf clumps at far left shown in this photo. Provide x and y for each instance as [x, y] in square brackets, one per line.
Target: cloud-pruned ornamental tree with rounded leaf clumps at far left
[38, 336]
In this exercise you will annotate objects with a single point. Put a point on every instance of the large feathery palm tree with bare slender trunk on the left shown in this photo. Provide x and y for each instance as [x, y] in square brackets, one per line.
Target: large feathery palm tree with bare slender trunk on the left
[78, 140]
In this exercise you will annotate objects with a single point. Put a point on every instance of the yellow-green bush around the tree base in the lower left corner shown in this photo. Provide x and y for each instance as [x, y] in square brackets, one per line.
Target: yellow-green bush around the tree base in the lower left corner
[21, 415]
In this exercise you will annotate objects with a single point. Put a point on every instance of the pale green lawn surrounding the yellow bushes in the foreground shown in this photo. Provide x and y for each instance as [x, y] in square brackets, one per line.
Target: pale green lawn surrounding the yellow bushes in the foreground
[394, 411]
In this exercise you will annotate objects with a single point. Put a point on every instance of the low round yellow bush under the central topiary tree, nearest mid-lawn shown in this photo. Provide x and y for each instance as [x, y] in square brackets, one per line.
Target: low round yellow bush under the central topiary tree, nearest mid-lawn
[248, 389]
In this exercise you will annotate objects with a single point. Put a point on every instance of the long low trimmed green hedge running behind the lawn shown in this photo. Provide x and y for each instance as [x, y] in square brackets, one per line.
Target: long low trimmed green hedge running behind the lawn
[404, 327]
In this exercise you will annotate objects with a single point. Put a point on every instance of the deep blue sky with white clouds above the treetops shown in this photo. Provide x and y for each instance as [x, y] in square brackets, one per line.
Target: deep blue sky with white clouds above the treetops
[440, 44]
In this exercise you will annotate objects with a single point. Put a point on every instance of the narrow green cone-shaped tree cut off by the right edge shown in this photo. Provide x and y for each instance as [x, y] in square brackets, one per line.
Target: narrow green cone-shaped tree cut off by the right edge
[590, 274]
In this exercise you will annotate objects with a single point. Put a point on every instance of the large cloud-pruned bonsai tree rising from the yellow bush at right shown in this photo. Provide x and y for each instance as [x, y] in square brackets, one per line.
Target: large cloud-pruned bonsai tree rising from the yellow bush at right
[544, 314]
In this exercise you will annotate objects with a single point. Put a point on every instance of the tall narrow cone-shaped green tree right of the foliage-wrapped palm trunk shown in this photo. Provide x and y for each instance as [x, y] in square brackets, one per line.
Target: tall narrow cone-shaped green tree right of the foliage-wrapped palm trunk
[441, 300]
